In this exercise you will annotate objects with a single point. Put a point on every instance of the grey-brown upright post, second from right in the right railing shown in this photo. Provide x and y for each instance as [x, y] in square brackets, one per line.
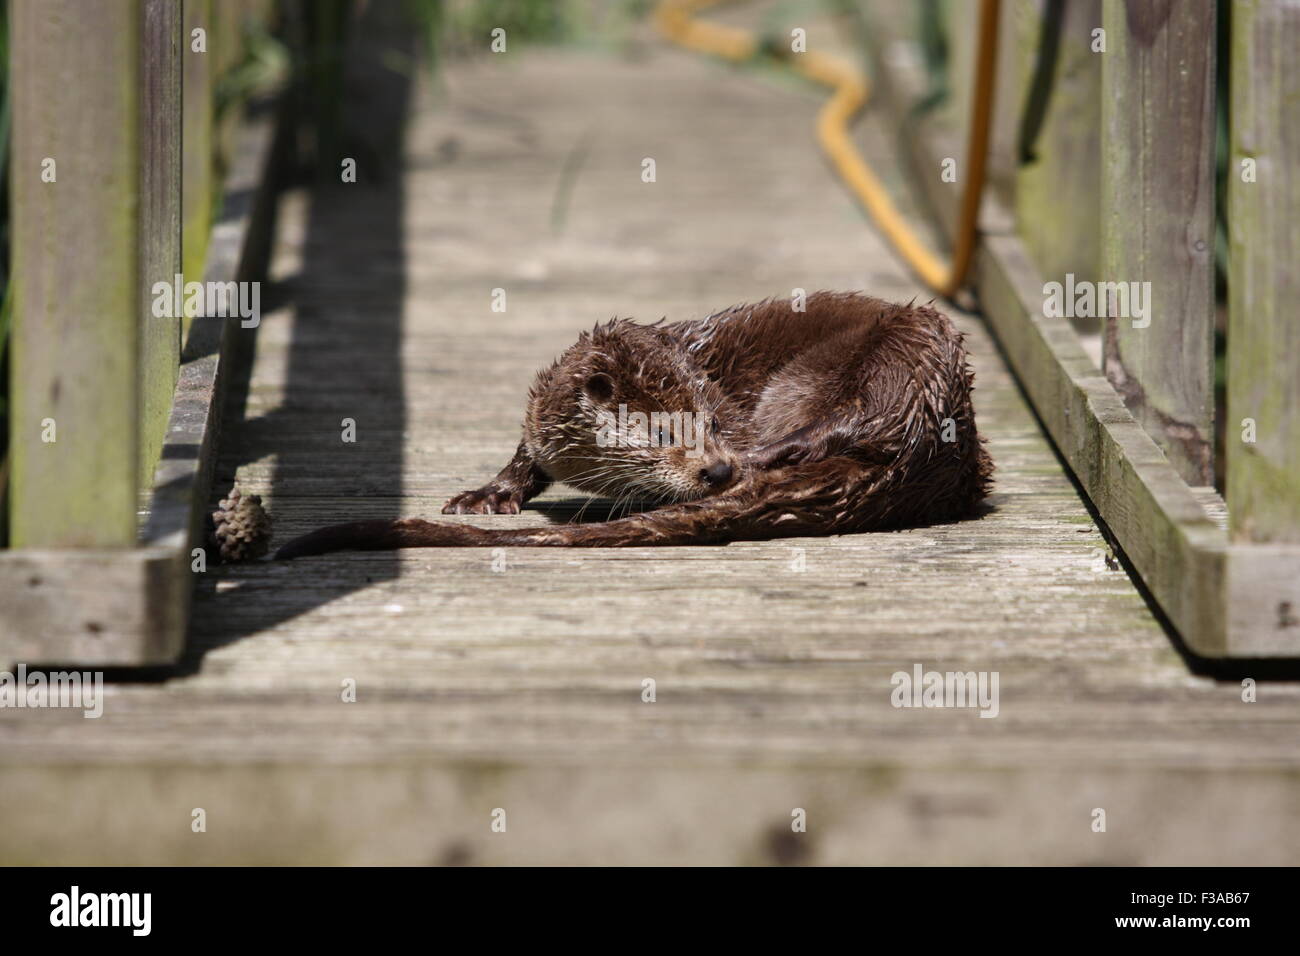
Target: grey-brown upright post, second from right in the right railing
[1158, 220]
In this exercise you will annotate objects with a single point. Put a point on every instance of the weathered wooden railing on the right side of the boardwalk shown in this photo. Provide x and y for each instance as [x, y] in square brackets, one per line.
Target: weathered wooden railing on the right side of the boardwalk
[1104, 172]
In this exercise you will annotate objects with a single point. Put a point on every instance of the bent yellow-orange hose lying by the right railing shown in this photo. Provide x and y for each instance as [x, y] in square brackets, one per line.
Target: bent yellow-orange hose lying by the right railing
[851, 90]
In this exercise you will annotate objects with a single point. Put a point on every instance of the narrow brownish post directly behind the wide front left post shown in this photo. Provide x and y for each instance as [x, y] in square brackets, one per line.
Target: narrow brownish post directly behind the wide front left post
[161, 218]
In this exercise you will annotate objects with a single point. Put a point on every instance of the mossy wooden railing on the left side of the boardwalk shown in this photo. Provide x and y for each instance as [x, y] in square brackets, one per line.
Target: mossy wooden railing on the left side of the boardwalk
[116, 161]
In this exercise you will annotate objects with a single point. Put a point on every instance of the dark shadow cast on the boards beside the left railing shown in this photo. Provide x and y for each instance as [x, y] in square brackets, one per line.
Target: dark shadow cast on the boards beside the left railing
[352, 280]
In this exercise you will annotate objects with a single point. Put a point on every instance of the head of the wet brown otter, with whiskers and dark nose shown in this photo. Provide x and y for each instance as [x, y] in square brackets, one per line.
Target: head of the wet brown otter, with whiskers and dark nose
[627, 413]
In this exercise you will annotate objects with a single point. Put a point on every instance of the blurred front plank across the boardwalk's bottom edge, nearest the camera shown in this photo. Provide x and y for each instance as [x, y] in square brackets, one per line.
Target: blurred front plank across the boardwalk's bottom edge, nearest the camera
[649, 814]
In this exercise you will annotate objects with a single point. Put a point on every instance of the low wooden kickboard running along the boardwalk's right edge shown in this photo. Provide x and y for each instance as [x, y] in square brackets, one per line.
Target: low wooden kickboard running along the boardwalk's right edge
[1171, 533]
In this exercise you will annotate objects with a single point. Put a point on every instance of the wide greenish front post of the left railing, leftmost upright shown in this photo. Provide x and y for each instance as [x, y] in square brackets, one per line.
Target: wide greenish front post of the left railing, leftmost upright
[77, 79]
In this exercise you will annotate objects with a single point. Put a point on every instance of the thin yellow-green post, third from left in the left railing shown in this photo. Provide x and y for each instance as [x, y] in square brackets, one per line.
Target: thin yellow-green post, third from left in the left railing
[198, 175]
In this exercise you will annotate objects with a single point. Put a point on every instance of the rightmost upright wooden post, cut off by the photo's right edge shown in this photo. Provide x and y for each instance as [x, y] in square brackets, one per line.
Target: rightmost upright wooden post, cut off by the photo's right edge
[1264, 282]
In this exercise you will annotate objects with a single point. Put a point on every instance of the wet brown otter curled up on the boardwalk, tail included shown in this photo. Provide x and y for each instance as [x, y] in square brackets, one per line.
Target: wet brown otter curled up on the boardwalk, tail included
[759, 422]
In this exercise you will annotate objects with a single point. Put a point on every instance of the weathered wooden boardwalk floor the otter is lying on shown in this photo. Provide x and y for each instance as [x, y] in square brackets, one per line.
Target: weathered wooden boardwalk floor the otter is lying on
[521, 686]
